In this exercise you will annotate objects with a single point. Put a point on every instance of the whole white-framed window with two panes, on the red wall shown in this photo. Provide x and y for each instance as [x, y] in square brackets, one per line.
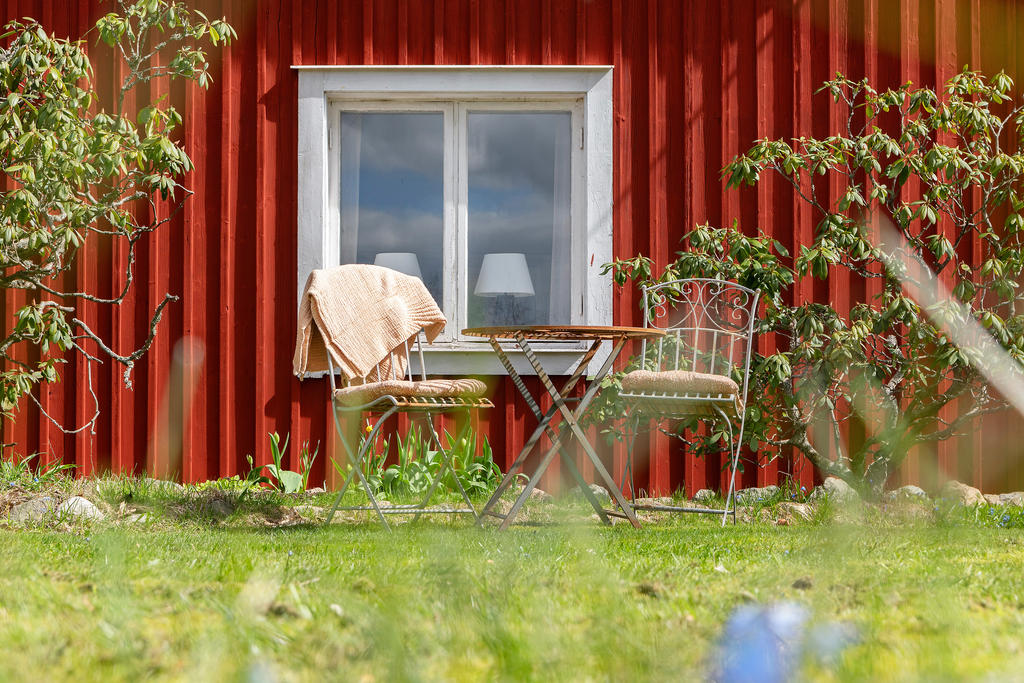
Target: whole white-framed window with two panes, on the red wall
[493, 185]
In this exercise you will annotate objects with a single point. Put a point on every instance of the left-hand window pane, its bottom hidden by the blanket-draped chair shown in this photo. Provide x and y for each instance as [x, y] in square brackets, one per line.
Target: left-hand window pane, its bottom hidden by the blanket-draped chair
[393, 182]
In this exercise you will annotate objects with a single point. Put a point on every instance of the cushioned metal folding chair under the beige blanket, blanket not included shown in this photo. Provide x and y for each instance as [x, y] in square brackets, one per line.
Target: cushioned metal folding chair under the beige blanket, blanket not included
[382, 395]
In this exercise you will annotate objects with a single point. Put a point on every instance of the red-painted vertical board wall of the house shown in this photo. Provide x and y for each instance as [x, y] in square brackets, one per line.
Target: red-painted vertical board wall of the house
[695, 84]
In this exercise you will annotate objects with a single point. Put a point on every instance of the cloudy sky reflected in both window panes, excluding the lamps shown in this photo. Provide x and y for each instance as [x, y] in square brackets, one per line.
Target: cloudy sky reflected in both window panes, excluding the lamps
[513, 197]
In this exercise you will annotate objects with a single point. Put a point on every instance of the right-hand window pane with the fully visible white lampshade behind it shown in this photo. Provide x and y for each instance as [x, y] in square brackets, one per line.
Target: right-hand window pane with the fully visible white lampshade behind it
[519, 218]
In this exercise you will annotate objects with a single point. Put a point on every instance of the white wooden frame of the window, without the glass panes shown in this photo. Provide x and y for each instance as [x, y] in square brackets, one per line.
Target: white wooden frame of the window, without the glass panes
[325, 92]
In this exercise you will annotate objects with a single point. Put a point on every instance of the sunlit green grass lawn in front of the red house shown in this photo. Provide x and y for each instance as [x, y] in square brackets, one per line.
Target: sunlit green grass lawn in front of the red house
[191, 601]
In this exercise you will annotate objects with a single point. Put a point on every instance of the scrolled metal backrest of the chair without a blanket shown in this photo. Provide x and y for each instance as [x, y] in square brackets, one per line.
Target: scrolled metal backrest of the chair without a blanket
[709, 325]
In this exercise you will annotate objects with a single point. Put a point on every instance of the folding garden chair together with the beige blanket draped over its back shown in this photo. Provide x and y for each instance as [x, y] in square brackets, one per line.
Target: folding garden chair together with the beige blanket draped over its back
[366, 340]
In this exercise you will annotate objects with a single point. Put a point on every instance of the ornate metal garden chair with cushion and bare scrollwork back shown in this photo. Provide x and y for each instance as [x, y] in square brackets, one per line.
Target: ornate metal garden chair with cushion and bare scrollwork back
[700, 369]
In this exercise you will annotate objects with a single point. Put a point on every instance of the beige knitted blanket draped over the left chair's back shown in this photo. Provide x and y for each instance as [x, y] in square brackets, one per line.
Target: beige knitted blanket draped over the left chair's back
[363, 315]
